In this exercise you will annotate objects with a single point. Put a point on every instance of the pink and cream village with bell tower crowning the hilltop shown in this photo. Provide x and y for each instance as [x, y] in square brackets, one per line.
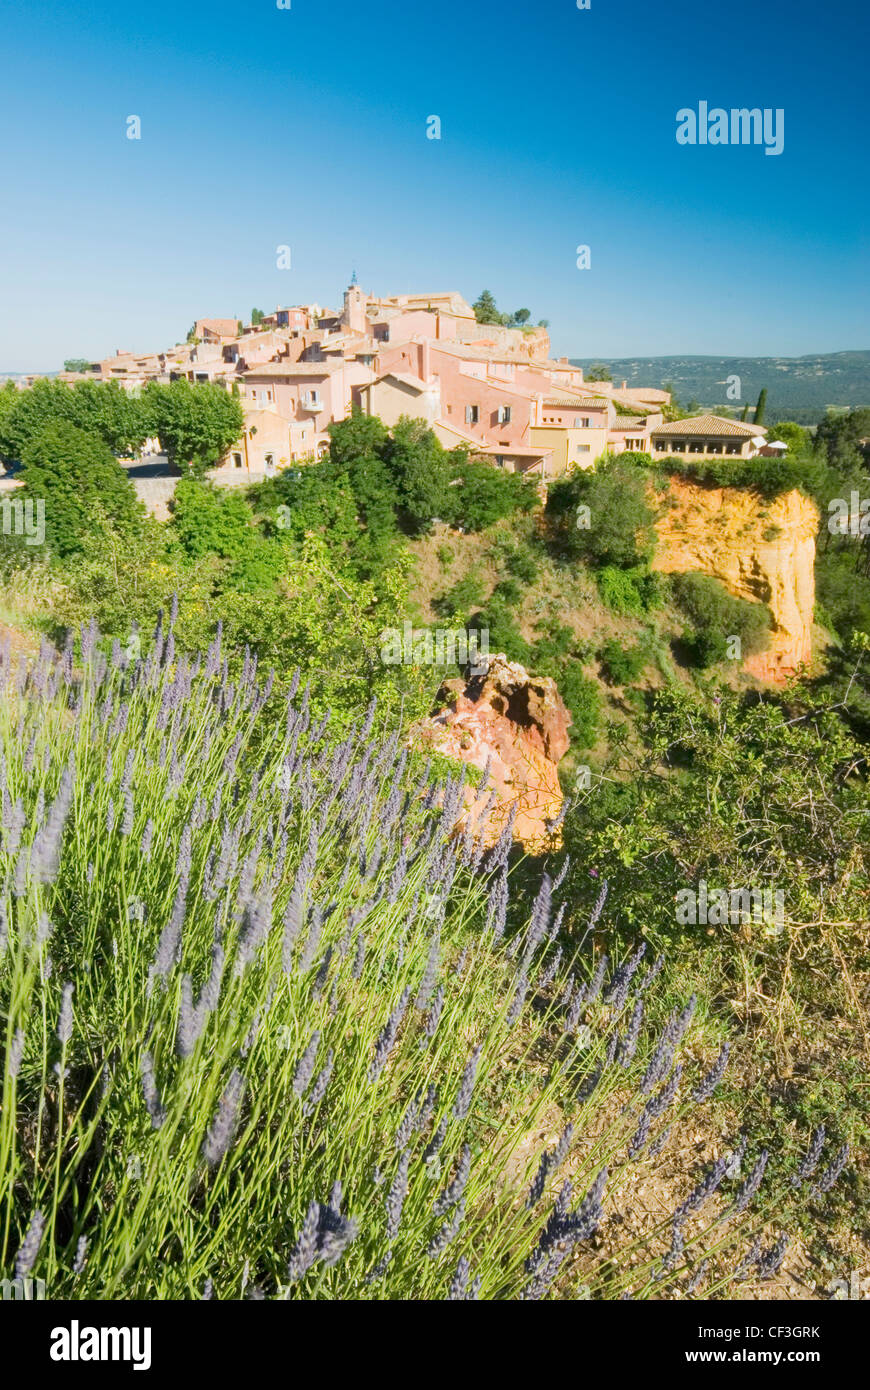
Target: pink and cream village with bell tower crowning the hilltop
[484, 387]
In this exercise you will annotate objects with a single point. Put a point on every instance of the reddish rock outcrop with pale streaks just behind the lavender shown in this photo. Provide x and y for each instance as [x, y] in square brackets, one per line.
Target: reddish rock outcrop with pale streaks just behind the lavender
[519, 725]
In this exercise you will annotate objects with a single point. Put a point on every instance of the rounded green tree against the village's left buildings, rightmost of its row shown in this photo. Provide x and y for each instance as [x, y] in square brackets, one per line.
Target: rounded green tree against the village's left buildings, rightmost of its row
[195, 423]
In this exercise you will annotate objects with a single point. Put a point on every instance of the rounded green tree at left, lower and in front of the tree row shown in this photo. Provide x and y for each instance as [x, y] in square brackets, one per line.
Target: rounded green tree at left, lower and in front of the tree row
[79, 482]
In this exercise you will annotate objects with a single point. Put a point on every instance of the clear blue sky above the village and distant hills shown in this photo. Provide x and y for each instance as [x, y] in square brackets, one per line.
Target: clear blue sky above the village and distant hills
[306, 127]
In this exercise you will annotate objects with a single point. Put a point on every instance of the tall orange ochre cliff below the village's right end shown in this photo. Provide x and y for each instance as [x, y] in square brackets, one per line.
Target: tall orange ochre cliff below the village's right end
[761, 551]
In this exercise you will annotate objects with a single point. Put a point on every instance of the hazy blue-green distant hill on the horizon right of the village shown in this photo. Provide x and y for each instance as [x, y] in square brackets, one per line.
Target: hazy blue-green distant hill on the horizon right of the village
[798, 389]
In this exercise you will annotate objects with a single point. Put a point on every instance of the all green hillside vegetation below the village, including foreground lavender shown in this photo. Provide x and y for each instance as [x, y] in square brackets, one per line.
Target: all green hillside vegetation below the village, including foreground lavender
[269, 1029]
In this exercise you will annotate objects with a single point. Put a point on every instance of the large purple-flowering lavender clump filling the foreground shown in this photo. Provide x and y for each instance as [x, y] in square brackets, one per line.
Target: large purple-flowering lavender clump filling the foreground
[261, 1017]
